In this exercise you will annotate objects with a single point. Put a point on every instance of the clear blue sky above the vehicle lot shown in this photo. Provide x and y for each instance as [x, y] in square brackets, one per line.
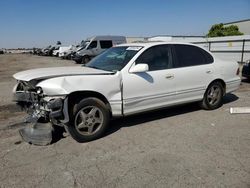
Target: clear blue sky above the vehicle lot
[39, 23]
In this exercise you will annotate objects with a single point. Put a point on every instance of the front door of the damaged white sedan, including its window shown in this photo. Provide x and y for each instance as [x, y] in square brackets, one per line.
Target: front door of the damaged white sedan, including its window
[151, 89]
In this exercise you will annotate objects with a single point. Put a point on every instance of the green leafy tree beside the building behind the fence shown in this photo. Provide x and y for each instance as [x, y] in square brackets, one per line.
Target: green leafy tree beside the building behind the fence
[219, 30]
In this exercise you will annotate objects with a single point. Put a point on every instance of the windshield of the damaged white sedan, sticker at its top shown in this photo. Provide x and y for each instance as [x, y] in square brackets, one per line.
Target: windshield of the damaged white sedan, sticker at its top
[114, 59]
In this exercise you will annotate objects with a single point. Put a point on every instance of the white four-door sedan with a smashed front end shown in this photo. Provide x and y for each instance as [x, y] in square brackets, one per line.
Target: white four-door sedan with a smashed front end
[124, 80]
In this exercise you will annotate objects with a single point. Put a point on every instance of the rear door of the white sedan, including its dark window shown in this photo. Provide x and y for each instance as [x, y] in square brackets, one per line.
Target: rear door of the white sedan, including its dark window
[193, 71]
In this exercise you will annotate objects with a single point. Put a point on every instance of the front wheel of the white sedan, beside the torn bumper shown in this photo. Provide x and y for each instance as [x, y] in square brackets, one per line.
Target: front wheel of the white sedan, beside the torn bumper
[90, 118]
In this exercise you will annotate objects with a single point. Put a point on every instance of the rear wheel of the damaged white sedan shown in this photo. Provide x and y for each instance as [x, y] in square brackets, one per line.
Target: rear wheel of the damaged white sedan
[213, 96]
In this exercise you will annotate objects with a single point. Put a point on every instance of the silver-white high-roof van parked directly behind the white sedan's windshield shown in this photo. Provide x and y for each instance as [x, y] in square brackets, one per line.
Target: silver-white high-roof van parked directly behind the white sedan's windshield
[93, 46]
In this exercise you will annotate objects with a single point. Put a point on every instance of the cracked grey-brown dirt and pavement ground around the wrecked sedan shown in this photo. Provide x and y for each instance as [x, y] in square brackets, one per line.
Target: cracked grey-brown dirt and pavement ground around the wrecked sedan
[176, 147]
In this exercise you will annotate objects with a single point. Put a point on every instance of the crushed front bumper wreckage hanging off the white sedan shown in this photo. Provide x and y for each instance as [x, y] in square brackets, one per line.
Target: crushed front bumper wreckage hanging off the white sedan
[43, 113]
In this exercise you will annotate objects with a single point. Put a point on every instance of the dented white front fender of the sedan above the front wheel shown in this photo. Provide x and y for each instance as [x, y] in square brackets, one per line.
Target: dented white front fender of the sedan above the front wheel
[108, 85]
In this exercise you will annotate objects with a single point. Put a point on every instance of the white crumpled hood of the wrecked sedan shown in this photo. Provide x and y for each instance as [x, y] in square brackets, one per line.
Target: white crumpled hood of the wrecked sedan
[43, 73]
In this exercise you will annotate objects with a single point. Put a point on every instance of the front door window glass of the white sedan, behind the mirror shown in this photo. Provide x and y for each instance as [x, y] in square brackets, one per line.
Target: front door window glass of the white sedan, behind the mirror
[157, 58]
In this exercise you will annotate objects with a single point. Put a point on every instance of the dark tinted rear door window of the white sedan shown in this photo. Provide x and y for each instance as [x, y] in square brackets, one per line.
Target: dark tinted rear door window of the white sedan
[188, 55]
